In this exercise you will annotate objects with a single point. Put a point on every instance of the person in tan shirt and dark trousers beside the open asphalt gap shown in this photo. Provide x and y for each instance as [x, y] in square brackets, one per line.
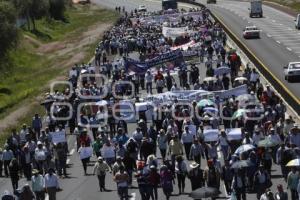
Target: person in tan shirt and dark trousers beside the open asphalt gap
[100, 169]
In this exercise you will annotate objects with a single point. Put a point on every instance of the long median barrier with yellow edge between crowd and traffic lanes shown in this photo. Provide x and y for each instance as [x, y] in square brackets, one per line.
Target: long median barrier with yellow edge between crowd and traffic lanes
[291, 100]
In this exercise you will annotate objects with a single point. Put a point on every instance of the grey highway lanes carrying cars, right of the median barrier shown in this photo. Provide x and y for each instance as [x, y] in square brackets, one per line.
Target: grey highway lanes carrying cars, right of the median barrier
[279, 43]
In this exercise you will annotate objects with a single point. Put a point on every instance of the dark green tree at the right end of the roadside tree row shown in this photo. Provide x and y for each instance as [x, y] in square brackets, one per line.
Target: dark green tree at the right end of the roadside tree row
[57, 9]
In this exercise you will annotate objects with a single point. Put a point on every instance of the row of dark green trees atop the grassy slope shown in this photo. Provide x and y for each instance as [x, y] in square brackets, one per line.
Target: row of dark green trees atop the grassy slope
[31, 10]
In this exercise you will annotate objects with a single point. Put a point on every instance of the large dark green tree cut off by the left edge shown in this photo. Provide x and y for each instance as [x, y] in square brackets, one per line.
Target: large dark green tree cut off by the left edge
[8, 29]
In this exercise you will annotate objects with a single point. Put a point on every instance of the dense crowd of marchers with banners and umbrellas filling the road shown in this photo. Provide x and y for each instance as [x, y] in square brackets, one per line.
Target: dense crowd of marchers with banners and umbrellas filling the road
[236, 127]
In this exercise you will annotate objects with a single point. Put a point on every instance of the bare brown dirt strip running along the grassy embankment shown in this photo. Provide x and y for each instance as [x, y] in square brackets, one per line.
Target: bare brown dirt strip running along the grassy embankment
[74, 51]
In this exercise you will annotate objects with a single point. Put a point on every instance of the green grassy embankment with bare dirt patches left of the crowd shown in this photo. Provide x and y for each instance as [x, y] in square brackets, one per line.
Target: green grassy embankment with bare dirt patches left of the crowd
[47, 54]
